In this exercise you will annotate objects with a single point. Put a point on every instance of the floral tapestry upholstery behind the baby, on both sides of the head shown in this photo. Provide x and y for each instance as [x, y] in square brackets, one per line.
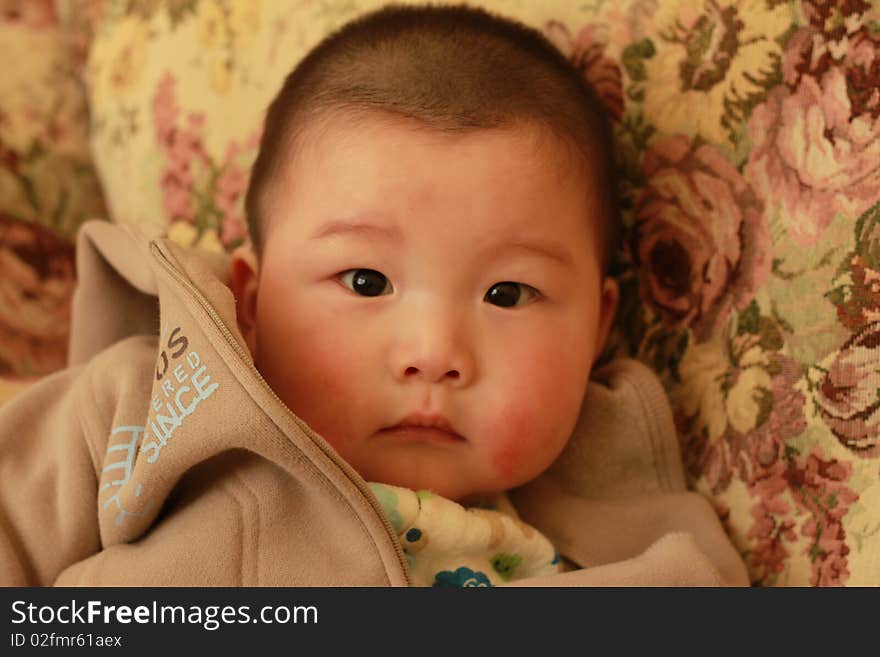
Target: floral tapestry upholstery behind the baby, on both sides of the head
[749, 146]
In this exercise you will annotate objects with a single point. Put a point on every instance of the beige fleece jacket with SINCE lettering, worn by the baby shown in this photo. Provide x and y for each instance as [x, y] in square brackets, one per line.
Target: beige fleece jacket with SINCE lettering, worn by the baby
[161, 457]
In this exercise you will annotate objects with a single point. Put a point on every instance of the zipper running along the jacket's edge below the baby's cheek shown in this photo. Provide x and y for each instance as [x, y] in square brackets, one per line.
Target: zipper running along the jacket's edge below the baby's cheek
[245, 357]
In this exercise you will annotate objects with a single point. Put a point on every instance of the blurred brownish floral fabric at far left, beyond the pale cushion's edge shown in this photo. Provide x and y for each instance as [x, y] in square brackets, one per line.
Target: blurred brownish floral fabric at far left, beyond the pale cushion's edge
[48, 187]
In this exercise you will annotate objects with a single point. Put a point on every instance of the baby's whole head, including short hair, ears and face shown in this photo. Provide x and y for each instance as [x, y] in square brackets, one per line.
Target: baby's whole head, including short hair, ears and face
[431, 211]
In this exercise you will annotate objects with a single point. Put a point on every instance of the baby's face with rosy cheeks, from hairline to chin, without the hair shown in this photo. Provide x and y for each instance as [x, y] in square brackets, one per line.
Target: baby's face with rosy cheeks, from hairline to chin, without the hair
[411, 277]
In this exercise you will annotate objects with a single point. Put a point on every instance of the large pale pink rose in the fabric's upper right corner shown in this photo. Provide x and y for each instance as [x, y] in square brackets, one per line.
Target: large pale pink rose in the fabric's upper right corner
[816, 140]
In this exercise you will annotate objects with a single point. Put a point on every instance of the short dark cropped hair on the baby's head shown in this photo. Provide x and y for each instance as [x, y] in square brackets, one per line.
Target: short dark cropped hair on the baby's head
[452, 68]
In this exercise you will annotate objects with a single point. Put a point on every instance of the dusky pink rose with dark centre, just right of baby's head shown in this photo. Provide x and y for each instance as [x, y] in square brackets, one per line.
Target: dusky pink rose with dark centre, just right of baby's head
[700, 244]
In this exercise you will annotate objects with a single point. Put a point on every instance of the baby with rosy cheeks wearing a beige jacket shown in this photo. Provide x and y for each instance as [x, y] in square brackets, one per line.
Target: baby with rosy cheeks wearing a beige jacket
[432, 215]
